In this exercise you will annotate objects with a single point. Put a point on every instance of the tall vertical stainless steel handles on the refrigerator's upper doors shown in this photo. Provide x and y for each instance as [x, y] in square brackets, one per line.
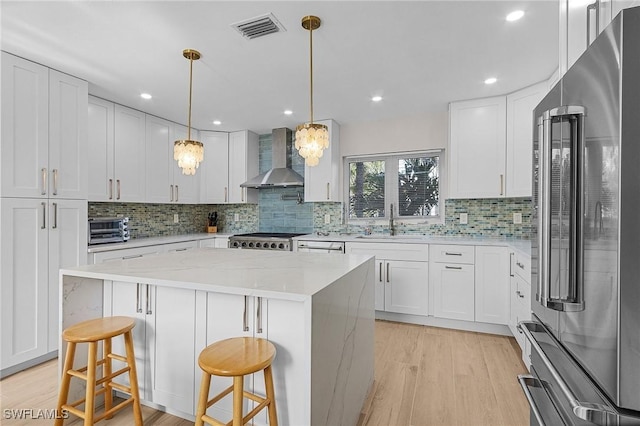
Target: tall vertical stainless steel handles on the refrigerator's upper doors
[574, 302]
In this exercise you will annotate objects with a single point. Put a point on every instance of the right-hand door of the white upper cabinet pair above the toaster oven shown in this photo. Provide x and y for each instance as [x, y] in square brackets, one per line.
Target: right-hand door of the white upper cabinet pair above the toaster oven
[129, 155]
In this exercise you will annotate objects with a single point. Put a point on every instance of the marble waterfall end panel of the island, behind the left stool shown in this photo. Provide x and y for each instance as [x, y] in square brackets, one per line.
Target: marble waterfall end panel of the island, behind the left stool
[81, 299]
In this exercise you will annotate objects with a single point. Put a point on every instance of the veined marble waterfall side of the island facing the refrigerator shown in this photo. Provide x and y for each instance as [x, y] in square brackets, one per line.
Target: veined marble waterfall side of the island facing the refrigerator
[342, 352]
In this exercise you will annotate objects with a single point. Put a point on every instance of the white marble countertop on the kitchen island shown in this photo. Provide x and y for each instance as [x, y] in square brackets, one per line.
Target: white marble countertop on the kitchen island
[246, 272]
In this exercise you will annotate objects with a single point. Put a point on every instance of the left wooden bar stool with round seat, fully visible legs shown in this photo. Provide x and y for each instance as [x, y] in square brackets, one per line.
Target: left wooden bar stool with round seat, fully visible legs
[92, 332]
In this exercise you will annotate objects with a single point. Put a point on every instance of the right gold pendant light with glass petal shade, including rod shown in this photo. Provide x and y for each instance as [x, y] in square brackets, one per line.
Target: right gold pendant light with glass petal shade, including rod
[311, 138]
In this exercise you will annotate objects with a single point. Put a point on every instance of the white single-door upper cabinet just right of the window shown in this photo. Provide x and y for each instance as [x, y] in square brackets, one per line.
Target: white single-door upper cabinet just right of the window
[477, 148]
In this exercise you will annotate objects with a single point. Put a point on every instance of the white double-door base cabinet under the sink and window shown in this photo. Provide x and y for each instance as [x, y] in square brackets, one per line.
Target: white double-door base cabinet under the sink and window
[402, 274]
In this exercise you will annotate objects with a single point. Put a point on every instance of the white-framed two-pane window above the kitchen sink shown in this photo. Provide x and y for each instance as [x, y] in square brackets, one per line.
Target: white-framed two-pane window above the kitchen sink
[411, 182]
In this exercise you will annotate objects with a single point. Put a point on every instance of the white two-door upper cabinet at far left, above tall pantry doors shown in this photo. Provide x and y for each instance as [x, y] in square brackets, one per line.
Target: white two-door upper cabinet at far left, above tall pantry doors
[44, 131]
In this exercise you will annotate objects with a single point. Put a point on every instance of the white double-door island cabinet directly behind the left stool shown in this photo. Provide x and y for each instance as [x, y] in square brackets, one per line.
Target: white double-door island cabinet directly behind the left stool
[164, 340]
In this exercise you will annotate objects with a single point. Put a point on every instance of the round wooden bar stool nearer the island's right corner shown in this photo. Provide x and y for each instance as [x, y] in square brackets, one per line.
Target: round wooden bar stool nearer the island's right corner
[237, 357]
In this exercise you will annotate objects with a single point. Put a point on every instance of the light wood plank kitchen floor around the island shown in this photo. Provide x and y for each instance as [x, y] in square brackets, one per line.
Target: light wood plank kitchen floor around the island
[423, 376]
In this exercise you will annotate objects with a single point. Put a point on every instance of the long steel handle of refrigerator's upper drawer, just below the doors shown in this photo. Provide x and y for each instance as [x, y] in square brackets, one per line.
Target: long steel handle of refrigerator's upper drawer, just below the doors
[595, 413]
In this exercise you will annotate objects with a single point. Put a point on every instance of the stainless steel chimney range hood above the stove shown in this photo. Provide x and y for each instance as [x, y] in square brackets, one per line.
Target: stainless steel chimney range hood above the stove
[281, 173]
